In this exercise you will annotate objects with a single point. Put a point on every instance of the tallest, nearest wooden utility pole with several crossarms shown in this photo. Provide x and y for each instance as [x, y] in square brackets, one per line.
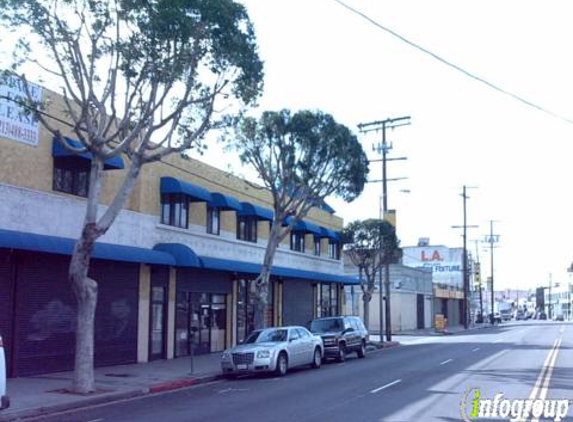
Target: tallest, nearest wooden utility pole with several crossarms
[383, 148]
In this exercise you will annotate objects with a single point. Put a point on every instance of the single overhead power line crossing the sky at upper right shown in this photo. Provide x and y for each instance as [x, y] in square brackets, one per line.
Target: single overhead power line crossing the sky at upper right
[454, 66]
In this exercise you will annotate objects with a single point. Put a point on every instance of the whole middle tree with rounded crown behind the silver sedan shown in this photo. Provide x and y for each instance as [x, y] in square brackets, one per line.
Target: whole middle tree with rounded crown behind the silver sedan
[301, 158]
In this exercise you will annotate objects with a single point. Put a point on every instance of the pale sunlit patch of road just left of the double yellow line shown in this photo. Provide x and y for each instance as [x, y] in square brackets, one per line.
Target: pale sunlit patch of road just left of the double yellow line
[512, 371]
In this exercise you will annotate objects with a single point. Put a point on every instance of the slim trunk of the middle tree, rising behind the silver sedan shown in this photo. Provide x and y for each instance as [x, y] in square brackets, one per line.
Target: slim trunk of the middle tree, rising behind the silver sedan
[263, 279]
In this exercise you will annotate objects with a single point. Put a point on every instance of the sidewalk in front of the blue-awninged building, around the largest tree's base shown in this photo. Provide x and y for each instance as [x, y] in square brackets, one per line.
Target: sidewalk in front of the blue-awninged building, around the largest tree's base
[46, 394]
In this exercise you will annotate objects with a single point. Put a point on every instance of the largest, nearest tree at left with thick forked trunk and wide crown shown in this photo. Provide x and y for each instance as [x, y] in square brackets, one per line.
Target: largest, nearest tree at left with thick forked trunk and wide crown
[139, 78]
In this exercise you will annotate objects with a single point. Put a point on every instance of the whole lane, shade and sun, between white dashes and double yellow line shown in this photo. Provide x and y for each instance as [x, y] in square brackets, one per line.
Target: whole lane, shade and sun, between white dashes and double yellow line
[435, 393]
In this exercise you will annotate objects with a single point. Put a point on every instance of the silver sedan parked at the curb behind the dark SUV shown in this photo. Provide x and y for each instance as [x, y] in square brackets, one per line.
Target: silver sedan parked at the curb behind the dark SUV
[273, 350]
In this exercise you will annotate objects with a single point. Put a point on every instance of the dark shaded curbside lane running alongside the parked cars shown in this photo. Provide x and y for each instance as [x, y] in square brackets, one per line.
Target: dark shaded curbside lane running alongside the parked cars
[298, 395]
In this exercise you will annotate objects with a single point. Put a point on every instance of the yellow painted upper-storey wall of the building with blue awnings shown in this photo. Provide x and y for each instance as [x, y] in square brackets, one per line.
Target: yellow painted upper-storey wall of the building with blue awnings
[32, 167]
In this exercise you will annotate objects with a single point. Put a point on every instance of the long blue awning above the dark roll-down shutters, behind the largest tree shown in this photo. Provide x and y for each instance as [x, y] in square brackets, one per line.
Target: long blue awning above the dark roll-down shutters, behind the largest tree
[64, 246]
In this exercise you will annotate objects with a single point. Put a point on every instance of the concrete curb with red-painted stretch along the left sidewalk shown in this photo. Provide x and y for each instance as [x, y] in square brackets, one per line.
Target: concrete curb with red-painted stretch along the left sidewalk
[108, 398]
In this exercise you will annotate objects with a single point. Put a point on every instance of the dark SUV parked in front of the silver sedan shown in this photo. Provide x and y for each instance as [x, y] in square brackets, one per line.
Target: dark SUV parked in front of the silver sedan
[341, 335]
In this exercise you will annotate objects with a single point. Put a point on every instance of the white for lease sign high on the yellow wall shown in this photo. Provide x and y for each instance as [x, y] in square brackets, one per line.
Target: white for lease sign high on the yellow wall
[15, 122]
